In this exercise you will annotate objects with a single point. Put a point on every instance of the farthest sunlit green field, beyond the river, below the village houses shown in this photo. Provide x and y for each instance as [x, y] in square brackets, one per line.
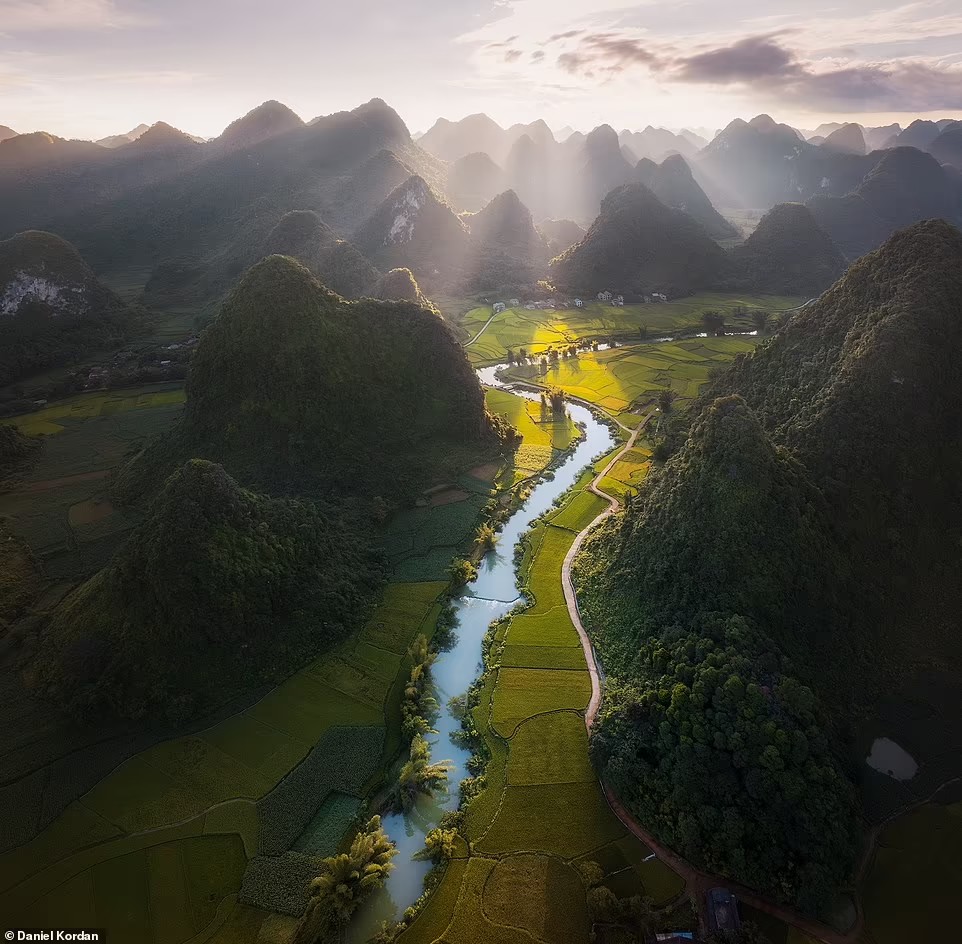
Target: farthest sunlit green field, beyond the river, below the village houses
[536, 331]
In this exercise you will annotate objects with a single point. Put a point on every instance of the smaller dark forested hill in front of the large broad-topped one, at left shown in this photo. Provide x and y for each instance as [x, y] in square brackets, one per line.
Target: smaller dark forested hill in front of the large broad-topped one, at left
[216, 591]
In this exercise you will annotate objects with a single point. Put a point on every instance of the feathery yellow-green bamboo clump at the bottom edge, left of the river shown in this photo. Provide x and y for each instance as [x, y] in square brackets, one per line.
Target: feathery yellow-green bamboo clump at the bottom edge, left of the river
[344, 882]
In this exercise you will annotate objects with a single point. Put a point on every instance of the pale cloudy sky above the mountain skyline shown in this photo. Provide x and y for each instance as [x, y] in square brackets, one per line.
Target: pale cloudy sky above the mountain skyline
[89, 68]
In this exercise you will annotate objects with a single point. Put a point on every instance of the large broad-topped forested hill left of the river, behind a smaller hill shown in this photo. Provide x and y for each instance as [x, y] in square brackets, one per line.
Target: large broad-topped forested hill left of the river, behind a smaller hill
[295, 387]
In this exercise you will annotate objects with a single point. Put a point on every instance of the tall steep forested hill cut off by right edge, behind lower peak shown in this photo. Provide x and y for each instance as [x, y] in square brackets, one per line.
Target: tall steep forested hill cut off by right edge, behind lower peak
[865, 388]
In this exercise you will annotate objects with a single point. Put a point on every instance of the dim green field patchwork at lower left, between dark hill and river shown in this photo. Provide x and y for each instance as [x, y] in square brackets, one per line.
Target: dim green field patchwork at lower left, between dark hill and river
[215, 781]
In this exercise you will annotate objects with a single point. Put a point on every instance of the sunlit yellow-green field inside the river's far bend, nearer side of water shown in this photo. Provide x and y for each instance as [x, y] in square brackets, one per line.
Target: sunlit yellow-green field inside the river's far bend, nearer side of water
[624, 378]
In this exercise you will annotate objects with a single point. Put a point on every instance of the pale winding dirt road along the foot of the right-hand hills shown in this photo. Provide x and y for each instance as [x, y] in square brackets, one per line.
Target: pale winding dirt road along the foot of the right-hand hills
[696, 881]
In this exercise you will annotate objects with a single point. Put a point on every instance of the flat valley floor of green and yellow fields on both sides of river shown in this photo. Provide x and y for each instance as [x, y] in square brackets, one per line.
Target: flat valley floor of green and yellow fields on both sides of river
[157, 850]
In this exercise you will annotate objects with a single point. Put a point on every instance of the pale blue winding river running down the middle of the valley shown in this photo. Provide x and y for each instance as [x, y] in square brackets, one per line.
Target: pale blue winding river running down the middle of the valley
[488, 598]
